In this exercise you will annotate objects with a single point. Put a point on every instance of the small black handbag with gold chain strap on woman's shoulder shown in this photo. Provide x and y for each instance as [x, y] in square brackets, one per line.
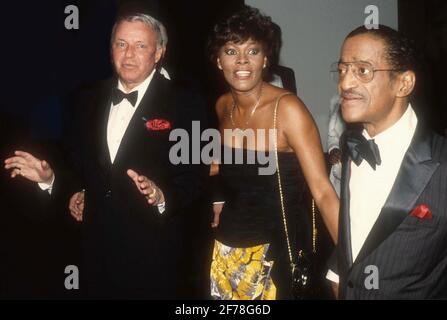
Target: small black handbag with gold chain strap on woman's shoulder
[300, 264]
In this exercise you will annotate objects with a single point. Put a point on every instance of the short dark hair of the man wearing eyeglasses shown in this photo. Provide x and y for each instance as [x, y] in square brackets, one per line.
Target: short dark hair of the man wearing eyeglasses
[399, 50]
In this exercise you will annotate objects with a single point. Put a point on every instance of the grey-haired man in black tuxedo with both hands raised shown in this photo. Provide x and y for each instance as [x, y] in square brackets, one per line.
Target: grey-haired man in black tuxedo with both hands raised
[130, 197]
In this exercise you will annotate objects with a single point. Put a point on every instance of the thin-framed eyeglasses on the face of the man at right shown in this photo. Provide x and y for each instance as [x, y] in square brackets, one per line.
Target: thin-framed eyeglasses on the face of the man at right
[362, 70]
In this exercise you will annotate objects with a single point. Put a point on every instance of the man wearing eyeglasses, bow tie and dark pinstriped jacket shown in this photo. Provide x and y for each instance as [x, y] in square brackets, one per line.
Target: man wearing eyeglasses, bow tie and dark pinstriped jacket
[393, 217]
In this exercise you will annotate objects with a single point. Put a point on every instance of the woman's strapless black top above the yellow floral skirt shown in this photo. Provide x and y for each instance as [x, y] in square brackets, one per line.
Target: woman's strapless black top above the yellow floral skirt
[252, 212]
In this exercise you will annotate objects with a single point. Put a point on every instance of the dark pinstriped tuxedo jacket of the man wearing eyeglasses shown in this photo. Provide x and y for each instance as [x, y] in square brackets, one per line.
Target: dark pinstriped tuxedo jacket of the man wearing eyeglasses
[410, 253]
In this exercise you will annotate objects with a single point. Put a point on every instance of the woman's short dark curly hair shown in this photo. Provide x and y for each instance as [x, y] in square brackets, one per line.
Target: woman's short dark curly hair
[248, 23]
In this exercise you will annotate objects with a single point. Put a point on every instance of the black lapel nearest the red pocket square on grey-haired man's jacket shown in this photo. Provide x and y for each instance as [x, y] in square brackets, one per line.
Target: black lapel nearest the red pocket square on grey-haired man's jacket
[151, 102]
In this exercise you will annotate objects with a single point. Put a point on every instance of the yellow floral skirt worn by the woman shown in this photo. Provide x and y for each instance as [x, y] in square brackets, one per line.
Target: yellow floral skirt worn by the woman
[241, 273]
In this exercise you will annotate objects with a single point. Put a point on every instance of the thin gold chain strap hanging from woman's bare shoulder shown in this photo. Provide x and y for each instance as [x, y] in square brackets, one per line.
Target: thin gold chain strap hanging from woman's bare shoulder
[281, 194]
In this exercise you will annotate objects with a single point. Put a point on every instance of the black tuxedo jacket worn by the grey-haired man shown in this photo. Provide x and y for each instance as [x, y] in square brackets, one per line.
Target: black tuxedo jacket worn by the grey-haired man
[130, 249]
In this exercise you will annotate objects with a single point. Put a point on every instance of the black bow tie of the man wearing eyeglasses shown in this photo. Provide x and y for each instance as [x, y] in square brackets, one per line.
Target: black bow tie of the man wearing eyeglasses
[360, 148]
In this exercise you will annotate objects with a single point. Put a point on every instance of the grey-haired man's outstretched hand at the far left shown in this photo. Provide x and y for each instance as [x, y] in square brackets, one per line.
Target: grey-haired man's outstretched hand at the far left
[29, 167]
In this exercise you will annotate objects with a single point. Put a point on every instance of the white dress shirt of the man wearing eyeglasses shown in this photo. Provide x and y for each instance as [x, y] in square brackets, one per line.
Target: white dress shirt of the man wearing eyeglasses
[369, 188]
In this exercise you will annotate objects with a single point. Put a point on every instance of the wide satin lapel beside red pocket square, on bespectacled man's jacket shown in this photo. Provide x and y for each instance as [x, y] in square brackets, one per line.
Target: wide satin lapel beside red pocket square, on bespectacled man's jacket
[415, 172]
